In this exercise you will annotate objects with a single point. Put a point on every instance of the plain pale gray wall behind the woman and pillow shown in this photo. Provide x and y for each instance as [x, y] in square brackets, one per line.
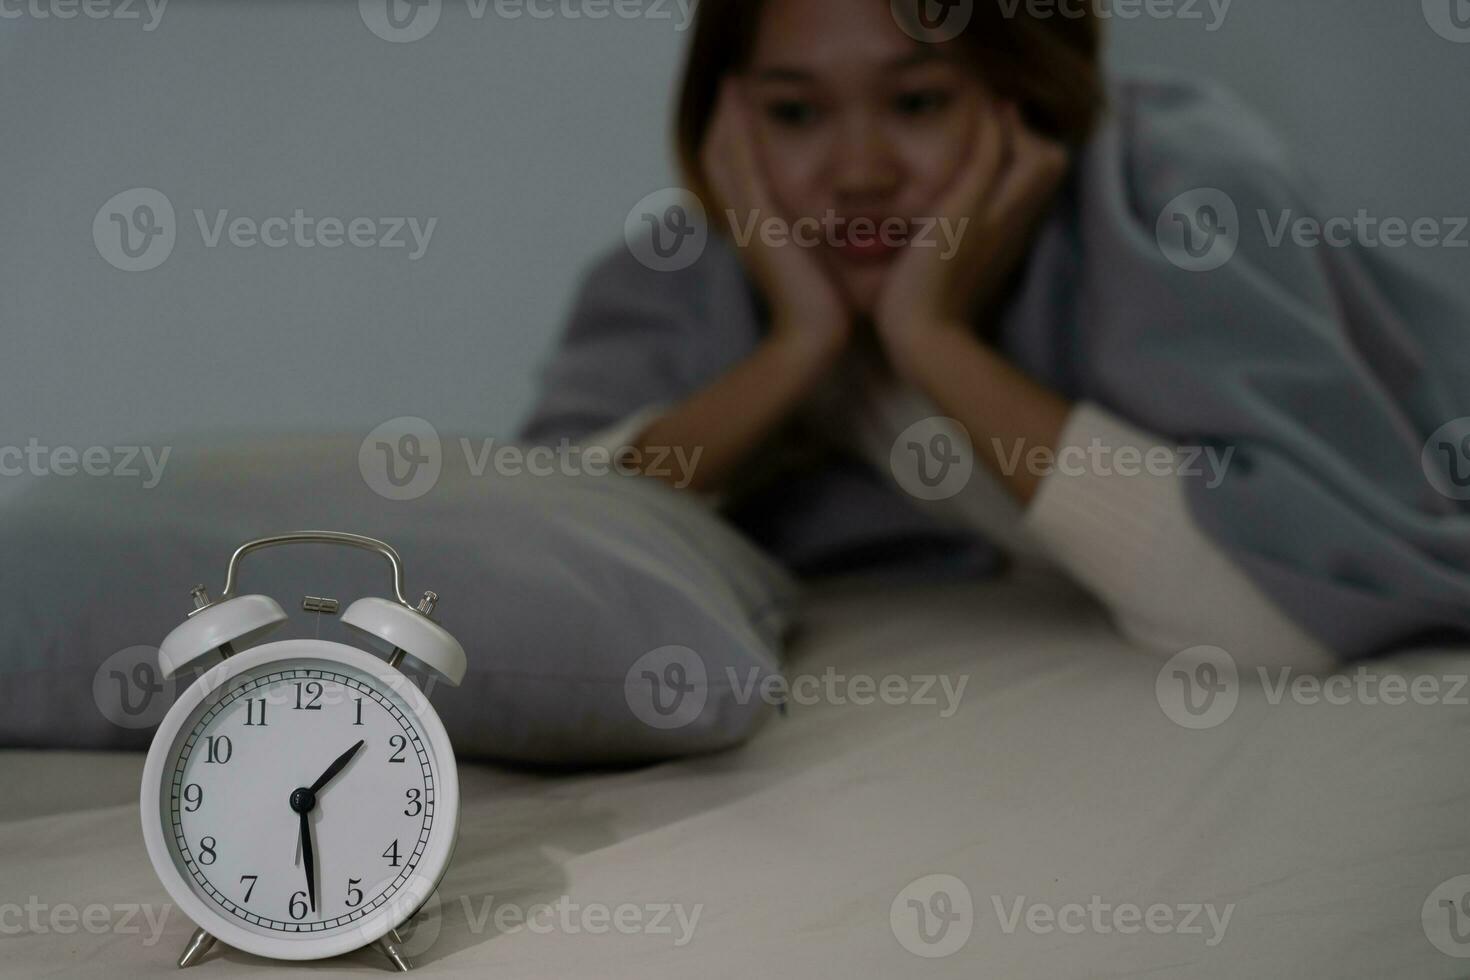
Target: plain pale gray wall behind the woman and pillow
[528, 140]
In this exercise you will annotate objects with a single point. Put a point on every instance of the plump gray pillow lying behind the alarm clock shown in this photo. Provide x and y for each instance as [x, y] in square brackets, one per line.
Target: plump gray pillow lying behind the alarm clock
[578, 599]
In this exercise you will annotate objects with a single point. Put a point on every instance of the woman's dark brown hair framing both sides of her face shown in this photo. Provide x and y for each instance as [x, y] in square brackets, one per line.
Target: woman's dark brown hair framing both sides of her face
[1049, 65]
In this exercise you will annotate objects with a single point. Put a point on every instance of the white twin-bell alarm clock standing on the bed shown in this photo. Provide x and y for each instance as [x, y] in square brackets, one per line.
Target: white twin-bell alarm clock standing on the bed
[301, 799]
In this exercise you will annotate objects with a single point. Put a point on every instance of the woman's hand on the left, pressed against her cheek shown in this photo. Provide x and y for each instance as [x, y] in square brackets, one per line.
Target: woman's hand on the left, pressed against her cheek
[808, 309]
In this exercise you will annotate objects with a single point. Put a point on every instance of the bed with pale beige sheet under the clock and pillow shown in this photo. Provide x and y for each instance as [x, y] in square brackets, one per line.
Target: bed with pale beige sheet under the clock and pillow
[1056, 797]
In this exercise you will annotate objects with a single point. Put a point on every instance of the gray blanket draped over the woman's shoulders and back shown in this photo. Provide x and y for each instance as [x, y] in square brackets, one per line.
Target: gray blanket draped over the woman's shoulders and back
[1161, 289]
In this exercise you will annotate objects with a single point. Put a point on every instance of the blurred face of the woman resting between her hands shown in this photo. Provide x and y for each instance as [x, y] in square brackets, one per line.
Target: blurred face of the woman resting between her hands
[856, 123]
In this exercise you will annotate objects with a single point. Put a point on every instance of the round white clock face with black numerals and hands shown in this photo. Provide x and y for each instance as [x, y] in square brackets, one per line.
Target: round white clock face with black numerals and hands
[299, 799]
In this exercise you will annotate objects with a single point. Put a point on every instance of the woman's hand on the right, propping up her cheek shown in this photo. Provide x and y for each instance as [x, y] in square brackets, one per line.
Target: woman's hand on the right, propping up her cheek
[994, 205]
